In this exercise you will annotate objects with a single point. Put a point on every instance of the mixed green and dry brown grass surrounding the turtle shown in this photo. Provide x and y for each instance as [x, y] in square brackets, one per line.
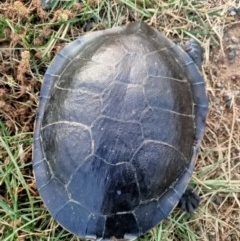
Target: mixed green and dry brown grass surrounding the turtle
[26, 28]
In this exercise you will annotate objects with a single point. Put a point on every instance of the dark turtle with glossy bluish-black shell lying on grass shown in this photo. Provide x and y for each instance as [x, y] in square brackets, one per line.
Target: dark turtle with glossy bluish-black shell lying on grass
[121, 116]
